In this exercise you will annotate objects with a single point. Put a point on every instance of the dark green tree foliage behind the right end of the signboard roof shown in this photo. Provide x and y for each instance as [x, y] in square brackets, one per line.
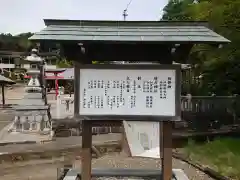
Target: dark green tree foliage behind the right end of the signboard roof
[220, 67]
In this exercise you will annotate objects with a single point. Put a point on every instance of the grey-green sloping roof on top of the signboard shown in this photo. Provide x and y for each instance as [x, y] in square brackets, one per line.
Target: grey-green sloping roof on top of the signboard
[128, 31]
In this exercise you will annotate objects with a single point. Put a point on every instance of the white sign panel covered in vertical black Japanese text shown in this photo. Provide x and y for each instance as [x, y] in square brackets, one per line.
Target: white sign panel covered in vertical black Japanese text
[127, 92]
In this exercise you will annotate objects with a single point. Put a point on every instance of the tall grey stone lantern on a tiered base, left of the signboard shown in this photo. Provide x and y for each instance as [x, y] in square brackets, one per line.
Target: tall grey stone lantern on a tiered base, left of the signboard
[33, 112]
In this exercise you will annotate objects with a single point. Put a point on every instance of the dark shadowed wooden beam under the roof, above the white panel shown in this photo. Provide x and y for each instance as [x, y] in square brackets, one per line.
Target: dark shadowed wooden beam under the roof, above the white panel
[130, 52]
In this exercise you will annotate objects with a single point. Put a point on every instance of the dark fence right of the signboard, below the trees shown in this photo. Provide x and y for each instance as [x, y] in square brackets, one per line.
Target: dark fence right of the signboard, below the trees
[210, 112]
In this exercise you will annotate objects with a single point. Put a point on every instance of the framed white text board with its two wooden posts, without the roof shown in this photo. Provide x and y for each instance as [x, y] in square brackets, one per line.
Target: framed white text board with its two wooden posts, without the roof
[111, 114]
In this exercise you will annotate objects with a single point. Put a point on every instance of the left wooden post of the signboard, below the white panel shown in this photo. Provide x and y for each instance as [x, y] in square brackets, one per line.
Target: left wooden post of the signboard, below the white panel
[86, 149]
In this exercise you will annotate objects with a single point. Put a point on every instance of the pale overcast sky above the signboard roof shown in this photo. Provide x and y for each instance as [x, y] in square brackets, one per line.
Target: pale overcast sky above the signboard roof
[18, 16]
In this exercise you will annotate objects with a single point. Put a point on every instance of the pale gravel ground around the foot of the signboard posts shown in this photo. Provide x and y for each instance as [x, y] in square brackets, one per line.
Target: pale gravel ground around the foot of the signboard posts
[47, 169]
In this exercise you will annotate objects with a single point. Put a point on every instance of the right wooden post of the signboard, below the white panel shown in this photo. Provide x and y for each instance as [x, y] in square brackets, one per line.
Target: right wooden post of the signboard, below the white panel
[167, 150]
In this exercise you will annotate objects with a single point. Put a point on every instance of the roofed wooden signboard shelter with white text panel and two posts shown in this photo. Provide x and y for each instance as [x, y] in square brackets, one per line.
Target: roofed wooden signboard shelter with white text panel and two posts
[159, 41]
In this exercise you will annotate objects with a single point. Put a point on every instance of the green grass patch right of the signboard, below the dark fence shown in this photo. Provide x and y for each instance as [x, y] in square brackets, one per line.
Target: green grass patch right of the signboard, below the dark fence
[222, 155]
